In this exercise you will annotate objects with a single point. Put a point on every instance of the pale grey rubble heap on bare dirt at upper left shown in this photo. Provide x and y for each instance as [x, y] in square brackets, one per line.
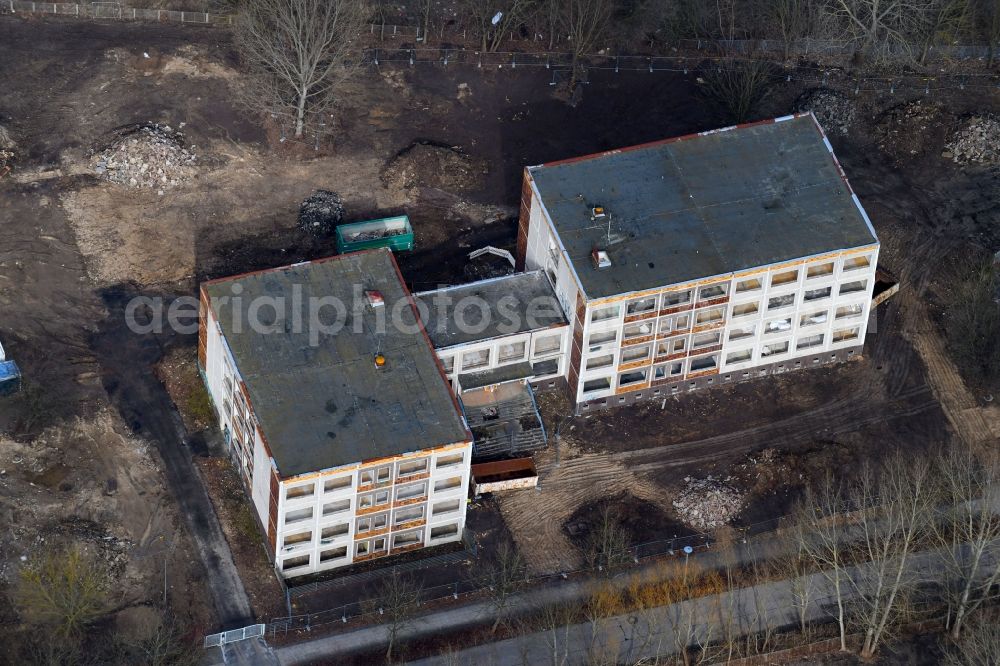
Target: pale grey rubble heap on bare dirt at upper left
[150, 155]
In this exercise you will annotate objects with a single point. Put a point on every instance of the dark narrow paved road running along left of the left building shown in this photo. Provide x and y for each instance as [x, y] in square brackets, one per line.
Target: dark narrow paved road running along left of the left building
[126, 361]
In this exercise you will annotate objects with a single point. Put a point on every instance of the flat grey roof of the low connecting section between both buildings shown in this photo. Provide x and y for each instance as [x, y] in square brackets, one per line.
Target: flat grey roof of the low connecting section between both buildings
[490, 308]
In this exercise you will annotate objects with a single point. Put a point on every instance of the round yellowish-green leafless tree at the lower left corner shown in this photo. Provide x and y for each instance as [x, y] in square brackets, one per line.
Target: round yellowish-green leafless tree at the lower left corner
[66, 590]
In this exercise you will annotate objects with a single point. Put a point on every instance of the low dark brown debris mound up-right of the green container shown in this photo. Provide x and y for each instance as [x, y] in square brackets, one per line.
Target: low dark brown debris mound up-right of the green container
[430, 165]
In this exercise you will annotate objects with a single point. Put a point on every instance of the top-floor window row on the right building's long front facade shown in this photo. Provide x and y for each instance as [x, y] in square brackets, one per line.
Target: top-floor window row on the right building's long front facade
[648, 304]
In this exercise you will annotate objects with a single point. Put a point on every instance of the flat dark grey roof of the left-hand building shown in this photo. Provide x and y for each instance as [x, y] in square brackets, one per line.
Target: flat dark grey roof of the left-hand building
[324, 405]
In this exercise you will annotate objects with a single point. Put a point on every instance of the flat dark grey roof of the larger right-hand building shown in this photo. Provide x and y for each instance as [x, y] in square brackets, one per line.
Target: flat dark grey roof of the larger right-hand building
[703, 205]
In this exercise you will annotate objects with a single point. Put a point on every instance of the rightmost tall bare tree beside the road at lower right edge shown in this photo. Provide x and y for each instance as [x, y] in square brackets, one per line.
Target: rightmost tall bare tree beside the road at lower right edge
[969, 533]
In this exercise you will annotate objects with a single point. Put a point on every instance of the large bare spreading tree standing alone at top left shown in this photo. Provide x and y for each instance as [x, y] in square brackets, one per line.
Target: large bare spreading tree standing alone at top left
[297, 51]
